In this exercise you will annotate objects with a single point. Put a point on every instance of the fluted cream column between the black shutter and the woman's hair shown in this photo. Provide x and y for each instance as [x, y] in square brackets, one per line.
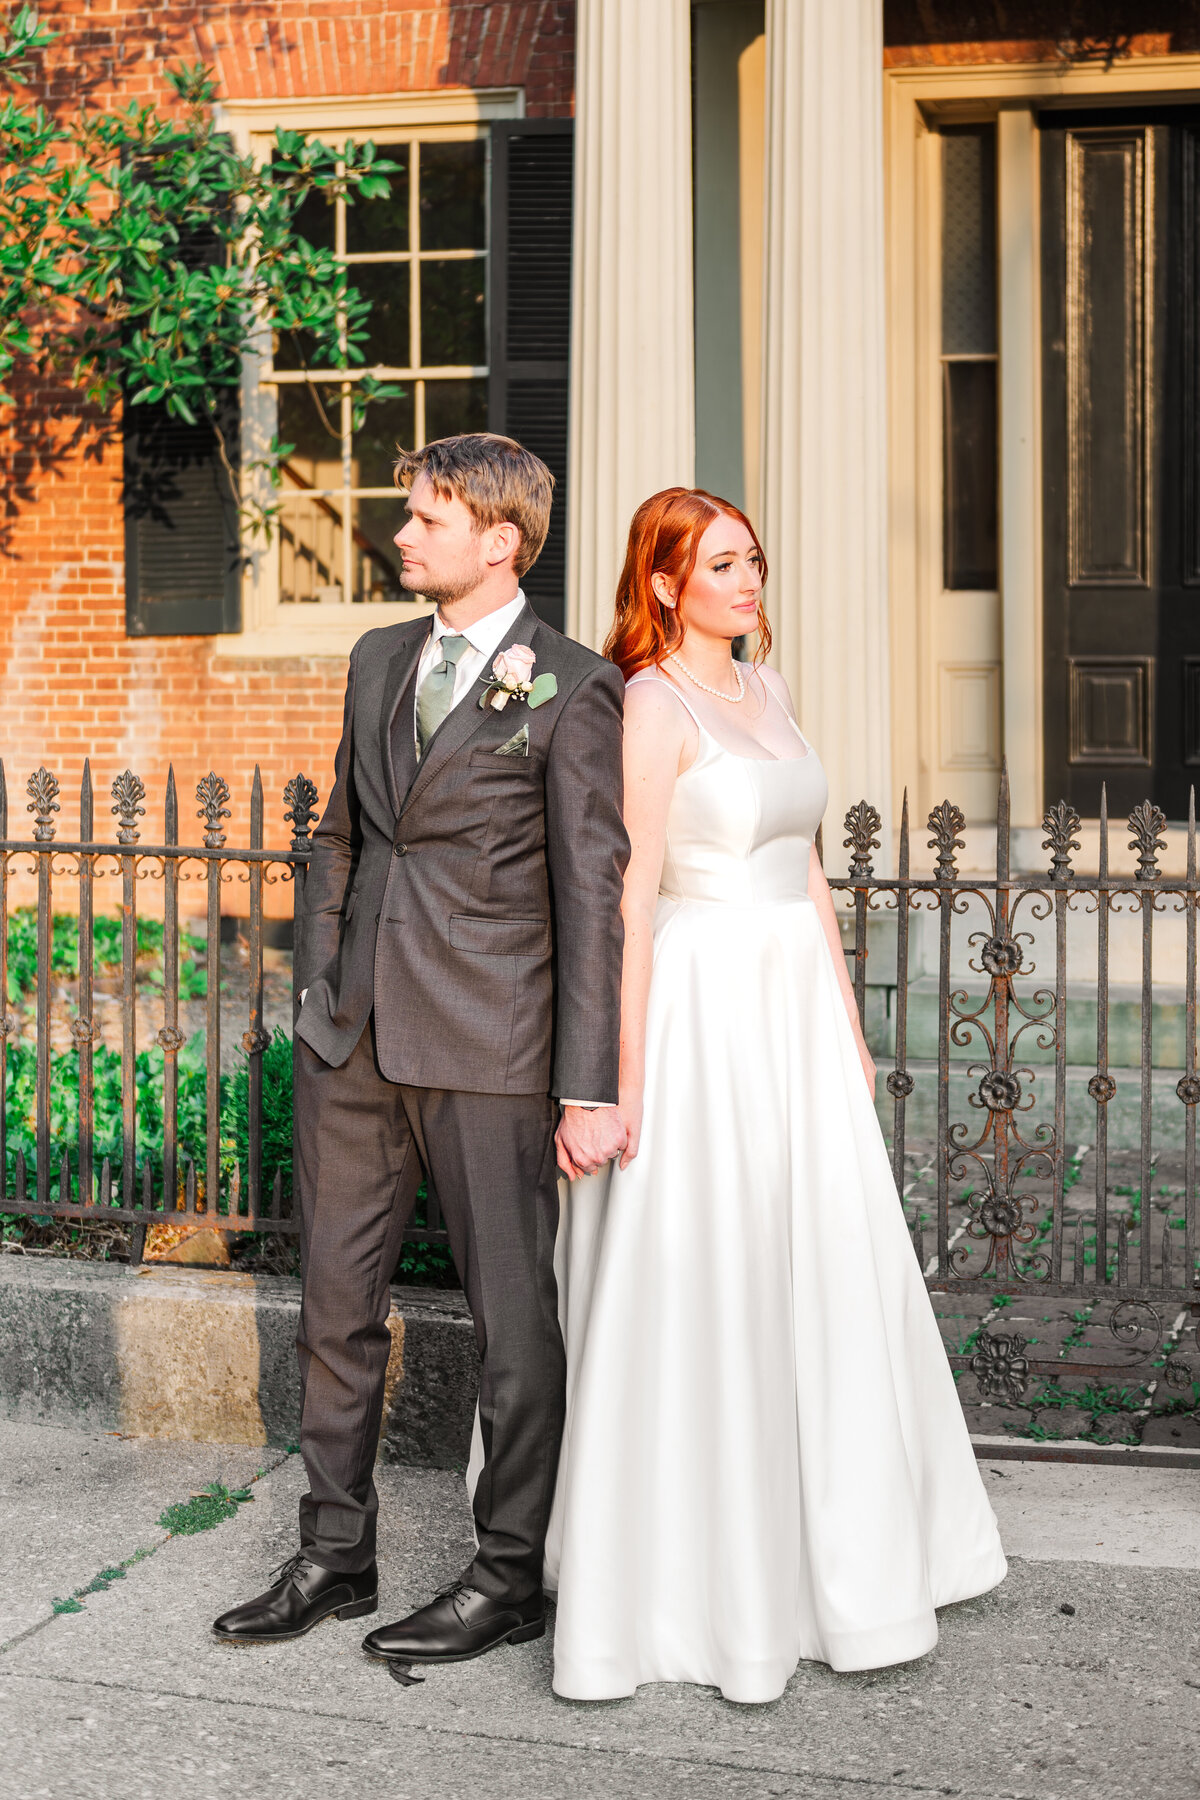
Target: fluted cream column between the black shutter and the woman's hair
[632, 384]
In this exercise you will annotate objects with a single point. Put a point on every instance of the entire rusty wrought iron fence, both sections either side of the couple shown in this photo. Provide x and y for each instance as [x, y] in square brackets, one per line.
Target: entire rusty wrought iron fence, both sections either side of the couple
[999, 1079]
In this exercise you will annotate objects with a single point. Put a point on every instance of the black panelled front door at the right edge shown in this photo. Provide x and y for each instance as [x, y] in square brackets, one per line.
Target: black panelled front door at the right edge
[1122, 516]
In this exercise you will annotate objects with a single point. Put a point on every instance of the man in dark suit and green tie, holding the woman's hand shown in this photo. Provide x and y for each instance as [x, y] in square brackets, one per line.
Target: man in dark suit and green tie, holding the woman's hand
[463, 964]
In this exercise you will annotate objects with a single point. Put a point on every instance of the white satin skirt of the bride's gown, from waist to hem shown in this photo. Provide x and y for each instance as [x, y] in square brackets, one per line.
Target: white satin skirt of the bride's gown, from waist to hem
[766, 1457]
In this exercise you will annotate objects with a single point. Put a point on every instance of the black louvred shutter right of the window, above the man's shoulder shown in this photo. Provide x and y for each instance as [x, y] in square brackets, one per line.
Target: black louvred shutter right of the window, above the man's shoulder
[532, 188]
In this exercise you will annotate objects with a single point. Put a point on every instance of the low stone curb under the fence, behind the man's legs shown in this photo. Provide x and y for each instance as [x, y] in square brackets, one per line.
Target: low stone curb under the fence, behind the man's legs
[210, 1356]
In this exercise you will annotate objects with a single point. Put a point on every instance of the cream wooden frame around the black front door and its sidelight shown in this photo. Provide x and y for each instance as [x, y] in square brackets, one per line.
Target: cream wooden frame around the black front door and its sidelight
[918, 100]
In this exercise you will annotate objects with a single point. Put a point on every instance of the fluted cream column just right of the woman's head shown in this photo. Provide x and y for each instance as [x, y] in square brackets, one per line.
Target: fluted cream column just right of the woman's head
[825, 406]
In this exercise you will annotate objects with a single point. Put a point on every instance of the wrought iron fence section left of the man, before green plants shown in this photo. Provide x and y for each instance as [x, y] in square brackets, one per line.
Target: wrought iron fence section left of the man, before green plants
[219, 1182]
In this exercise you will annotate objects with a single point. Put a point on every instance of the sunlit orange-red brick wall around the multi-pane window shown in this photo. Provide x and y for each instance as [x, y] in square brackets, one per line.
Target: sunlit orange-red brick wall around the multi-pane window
[71, 683]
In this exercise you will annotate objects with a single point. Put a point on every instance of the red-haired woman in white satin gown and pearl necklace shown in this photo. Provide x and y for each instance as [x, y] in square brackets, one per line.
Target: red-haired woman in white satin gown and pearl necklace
[766, 1457]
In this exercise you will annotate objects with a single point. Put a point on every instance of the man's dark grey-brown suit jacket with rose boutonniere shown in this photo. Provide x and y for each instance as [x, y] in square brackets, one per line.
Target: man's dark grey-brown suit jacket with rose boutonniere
[474, 901]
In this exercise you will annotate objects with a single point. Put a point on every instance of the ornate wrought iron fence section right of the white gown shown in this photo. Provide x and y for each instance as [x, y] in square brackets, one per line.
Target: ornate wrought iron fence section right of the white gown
[1019, 1227]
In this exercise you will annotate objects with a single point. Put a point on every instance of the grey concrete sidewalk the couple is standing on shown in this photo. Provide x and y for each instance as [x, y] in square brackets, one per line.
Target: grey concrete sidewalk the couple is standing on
[129, 1696]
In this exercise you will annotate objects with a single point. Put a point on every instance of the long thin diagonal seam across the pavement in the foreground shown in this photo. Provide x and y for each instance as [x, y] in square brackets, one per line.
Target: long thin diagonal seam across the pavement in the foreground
[521, 1740]
